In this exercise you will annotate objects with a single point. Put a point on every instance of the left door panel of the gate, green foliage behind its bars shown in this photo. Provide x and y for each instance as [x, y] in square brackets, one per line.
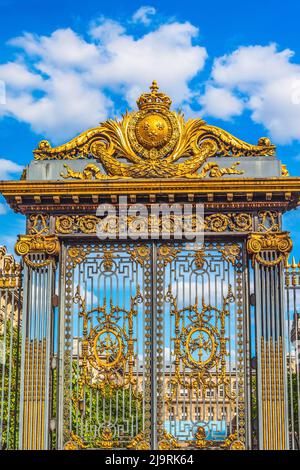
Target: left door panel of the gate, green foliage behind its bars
[105, 382]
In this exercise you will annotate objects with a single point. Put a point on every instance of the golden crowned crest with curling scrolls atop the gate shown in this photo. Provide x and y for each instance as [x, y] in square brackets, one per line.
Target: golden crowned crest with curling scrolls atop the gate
[153, 142]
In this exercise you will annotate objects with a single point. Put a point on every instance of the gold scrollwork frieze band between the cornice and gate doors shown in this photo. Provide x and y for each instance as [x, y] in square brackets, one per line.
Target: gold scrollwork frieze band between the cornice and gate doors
[38, 225]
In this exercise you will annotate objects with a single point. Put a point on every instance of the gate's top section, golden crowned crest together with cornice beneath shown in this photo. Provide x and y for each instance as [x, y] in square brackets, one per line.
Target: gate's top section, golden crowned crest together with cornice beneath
[153, 155]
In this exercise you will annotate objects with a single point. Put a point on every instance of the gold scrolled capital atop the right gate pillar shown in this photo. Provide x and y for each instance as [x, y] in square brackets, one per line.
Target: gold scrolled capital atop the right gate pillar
[260, 243]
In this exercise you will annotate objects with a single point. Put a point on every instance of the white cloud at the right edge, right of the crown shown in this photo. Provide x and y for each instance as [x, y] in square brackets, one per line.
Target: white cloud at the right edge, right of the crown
[267, 79]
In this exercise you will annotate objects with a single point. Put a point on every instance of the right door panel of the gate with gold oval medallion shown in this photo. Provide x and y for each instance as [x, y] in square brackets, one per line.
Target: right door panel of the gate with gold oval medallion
[201, 358]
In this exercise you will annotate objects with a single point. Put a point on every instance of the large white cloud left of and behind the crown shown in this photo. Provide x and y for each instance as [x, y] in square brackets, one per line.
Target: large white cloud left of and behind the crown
[60, 84]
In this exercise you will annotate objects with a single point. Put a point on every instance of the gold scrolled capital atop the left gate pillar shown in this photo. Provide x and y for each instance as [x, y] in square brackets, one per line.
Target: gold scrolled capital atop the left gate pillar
[38, 244]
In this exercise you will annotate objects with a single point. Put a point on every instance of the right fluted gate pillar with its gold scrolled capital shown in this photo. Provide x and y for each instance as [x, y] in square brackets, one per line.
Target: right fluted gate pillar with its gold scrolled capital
[269, 252]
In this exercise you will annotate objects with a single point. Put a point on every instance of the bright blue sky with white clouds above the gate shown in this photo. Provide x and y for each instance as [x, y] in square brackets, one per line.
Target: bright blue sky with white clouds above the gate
[68, 65]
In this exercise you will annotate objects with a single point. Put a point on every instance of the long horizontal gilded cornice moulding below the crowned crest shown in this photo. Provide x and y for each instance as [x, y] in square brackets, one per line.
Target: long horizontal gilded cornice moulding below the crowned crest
[159, 186]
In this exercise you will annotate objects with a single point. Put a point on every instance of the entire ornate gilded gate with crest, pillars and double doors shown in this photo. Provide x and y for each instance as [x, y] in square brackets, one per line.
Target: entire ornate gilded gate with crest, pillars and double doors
[133, 335]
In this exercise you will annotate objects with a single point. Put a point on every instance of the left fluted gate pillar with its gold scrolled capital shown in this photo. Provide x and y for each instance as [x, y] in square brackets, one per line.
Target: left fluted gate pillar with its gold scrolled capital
[39, 254]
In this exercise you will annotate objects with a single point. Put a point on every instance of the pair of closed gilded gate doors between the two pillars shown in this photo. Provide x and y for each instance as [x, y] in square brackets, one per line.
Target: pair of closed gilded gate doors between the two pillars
[152, 344]
